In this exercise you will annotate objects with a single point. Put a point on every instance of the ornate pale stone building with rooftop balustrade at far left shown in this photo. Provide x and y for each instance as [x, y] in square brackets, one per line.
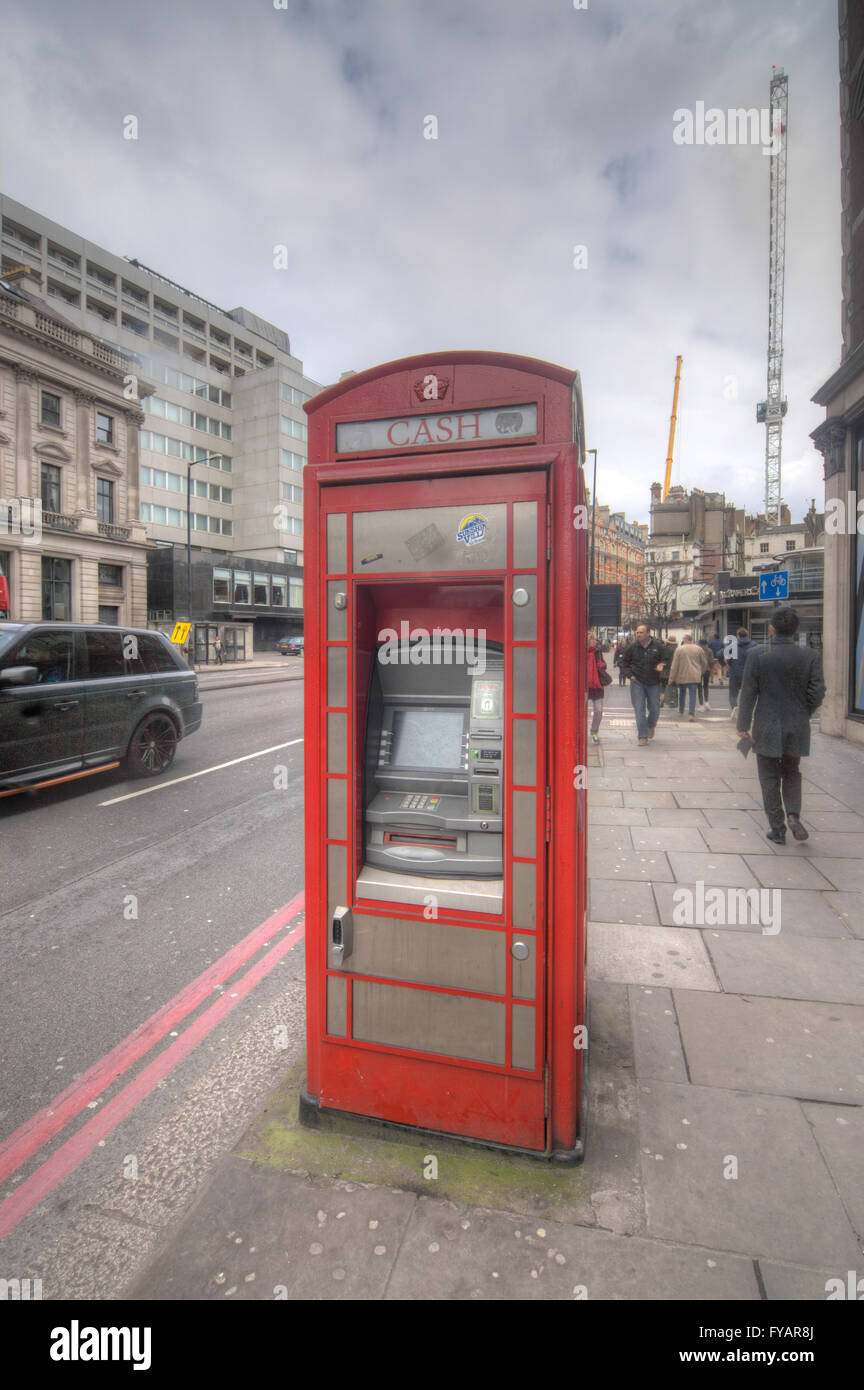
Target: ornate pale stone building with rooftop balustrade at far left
[73, 546]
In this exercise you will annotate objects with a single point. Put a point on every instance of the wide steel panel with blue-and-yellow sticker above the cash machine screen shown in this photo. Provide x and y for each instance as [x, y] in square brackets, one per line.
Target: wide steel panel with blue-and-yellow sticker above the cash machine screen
[427, 539]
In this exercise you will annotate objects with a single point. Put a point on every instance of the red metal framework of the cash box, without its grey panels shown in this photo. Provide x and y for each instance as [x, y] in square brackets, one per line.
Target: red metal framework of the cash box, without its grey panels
[541, 1110]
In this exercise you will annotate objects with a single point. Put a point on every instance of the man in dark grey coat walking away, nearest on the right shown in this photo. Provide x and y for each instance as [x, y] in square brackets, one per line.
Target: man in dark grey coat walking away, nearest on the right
[784, 685]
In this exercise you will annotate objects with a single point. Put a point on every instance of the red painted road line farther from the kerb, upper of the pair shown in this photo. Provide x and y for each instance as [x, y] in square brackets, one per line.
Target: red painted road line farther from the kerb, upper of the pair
[41, 1128]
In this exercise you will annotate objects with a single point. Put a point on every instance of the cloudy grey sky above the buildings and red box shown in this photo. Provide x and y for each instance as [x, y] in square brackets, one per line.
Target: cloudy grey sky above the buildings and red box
[304, 124]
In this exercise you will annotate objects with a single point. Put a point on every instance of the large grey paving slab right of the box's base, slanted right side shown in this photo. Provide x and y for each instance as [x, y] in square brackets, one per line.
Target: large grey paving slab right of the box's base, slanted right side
[781, 1206]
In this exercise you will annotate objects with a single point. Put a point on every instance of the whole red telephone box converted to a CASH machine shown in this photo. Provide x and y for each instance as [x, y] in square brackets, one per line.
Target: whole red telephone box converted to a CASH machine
[445, 744]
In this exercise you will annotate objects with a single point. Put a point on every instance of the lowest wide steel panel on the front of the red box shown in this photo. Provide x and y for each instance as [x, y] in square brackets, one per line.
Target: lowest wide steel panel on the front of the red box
[448, 1024]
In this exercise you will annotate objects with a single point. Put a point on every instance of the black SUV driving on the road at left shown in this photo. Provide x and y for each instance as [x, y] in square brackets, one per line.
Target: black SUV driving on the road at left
[78, 697]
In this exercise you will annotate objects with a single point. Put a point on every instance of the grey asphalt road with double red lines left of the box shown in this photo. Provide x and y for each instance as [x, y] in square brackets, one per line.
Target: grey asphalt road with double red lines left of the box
[117, 897]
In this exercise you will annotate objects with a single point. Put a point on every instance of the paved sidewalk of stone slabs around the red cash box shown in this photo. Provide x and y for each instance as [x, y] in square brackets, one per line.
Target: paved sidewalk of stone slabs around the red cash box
[727, 1082]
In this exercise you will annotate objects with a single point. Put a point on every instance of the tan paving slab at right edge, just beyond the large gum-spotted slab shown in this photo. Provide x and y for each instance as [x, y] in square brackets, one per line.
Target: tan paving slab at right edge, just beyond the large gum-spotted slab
[784, 1047]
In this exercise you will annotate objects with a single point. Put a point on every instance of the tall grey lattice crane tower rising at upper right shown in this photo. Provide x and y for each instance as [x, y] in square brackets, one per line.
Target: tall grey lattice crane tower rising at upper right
[772, 411]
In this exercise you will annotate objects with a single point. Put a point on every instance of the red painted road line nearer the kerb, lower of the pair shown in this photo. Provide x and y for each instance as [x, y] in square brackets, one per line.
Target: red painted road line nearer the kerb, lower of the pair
[77, 1149]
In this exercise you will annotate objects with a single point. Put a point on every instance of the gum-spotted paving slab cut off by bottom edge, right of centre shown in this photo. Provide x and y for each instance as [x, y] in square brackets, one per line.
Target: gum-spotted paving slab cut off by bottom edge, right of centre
[454, 1253]
